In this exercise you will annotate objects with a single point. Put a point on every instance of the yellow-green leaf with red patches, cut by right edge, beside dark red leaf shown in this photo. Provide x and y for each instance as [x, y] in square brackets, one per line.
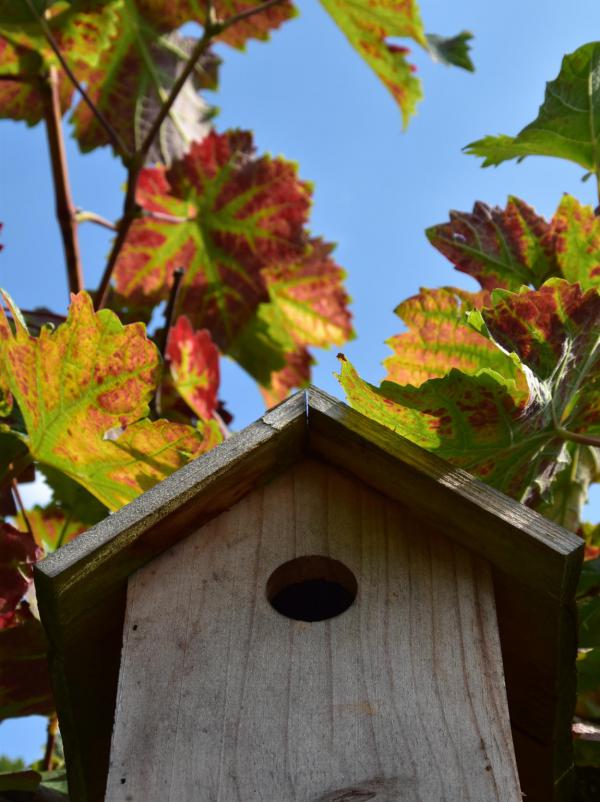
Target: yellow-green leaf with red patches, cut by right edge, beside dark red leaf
[575, 232]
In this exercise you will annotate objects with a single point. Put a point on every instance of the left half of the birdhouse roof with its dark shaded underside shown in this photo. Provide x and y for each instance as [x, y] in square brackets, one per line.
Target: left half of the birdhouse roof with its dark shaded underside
[81, 587]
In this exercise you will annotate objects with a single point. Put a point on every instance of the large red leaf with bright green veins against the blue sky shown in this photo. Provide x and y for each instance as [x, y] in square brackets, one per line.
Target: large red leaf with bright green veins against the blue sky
[241, 214]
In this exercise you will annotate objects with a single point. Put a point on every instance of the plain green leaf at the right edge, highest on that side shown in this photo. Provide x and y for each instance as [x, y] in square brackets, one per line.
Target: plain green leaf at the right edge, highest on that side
[568, 120]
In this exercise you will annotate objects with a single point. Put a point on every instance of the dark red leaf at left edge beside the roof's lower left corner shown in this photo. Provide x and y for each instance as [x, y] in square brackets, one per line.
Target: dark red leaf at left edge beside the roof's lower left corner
[18, 552]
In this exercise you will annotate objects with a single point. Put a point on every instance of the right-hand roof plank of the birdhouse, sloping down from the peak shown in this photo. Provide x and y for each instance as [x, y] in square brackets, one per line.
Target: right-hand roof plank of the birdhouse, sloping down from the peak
[480, 518]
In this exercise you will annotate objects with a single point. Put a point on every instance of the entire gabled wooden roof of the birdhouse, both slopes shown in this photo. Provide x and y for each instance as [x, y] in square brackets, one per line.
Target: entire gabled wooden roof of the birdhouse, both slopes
[82, 586]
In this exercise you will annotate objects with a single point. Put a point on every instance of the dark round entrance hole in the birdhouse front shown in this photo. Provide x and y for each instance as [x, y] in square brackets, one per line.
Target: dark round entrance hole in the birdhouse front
[311, 588]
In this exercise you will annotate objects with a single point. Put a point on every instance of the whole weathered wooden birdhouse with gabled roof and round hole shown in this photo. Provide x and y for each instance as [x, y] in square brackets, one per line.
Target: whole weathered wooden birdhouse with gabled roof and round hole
[315, 611]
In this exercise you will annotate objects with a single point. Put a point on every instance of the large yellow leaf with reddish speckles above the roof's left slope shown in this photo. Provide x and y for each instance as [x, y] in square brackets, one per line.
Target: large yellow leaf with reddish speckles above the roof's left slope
[83, 391]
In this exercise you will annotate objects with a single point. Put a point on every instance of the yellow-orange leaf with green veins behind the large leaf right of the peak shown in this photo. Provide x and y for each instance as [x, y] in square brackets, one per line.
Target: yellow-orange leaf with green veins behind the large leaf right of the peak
[439, 338]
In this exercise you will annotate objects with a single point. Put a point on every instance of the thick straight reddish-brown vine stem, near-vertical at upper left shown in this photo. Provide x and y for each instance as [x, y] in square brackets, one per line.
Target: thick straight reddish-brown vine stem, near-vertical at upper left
[65, 210]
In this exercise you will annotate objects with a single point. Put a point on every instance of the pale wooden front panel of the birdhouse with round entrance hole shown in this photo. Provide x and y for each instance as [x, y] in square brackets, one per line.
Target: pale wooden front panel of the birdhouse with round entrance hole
[314, 643]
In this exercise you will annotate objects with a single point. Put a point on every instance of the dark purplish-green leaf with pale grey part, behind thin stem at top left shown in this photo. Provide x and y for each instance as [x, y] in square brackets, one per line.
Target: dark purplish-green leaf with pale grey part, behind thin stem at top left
[132, 78]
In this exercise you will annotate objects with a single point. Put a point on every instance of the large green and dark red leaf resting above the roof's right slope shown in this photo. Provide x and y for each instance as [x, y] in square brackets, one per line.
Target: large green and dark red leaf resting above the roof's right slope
[515, 440]
